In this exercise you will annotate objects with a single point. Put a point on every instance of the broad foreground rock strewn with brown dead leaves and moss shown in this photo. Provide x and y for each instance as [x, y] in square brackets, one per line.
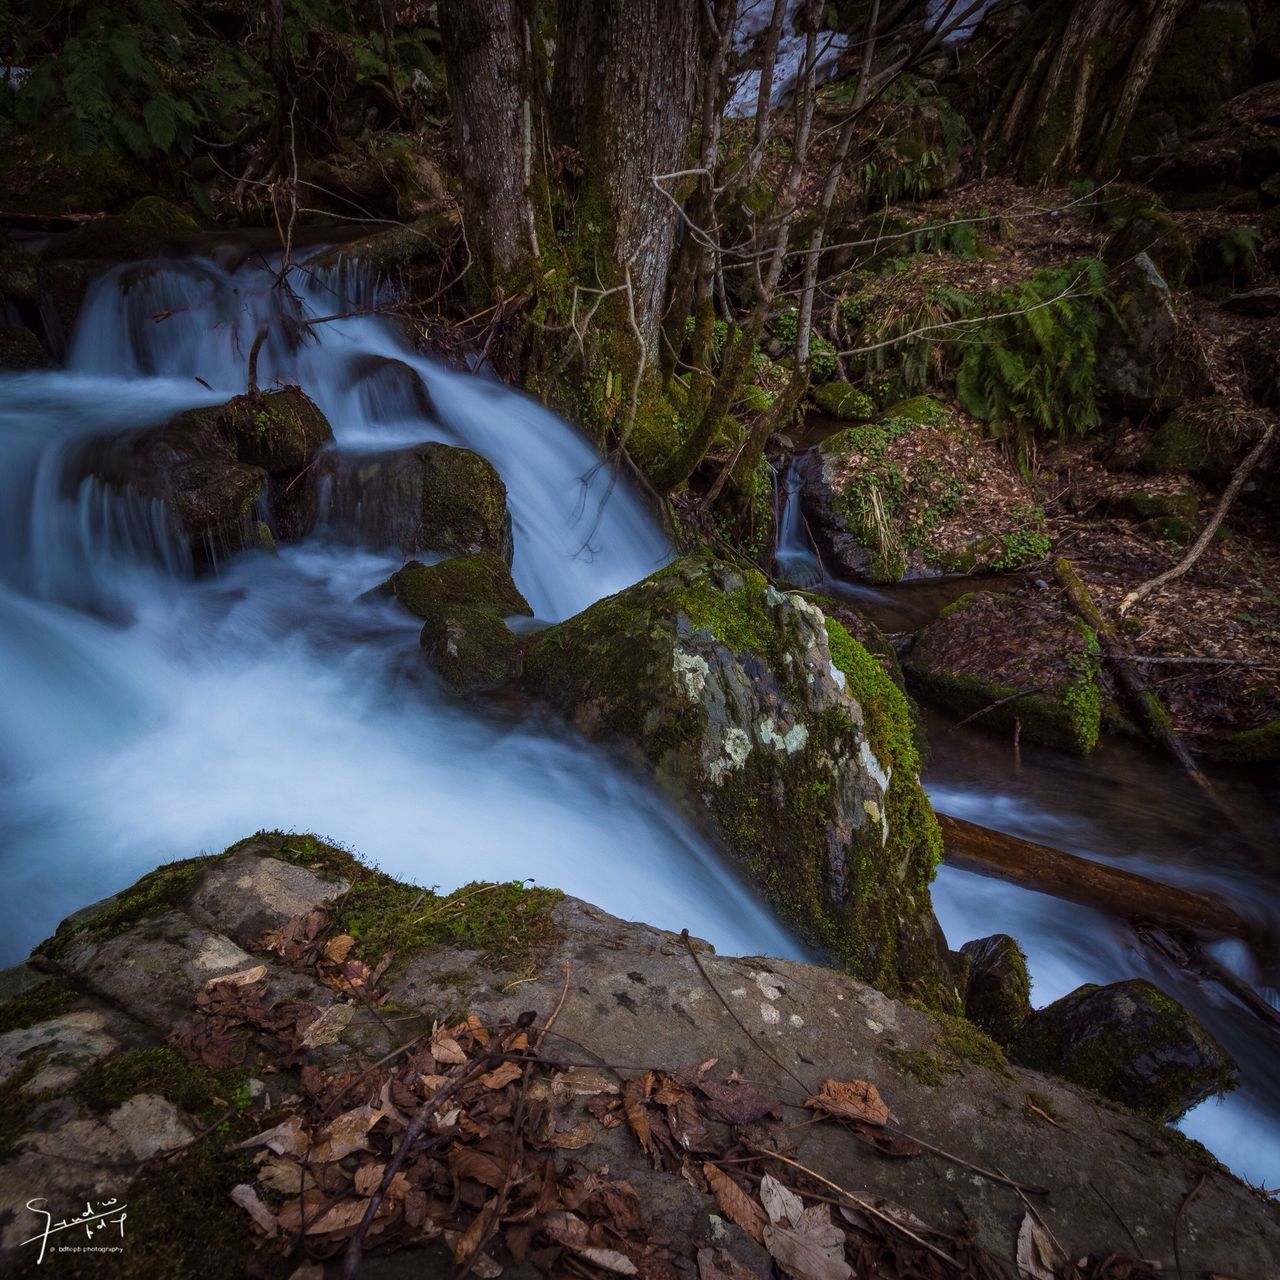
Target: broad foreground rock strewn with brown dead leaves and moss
[166, 1124]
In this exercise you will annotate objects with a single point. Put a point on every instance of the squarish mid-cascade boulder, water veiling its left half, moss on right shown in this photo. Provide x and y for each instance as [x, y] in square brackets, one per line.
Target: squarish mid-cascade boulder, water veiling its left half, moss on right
[428, 499]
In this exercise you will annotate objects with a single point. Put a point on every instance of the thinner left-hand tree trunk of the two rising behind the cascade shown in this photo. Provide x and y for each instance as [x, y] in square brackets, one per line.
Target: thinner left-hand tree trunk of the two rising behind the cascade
[493, 90]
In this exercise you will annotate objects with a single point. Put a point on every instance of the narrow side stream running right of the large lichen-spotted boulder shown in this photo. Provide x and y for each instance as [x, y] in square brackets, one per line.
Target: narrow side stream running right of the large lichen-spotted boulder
[1123, 806]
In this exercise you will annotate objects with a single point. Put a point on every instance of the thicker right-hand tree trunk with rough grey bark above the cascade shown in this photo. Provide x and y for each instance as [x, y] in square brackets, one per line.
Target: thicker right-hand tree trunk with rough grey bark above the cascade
[623, 98]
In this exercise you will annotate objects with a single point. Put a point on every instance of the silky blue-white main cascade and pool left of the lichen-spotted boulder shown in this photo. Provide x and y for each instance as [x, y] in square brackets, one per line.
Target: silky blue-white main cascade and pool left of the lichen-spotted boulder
[150, 715]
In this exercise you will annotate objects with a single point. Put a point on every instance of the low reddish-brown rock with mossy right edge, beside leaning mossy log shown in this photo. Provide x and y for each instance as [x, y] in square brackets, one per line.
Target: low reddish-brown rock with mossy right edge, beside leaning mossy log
[1025, 652]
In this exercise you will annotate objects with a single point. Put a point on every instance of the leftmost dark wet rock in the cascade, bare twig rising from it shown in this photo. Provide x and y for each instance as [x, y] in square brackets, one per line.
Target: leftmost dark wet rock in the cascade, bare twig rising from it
[212, 467]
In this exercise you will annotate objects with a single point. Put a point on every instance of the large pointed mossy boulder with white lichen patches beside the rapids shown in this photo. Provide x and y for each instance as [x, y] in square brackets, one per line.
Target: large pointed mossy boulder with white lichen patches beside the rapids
[778, 728]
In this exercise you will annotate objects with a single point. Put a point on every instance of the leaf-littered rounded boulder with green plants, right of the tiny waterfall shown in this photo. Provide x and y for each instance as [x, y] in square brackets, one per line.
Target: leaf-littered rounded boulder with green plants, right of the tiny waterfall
[918, 491]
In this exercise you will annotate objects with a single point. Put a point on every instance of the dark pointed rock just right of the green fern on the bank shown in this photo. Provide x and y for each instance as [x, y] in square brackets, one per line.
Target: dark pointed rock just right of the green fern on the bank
[1146, 360]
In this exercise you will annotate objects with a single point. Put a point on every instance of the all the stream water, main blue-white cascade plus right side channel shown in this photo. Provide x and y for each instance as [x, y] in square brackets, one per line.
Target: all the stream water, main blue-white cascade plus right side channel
[152, 714]
